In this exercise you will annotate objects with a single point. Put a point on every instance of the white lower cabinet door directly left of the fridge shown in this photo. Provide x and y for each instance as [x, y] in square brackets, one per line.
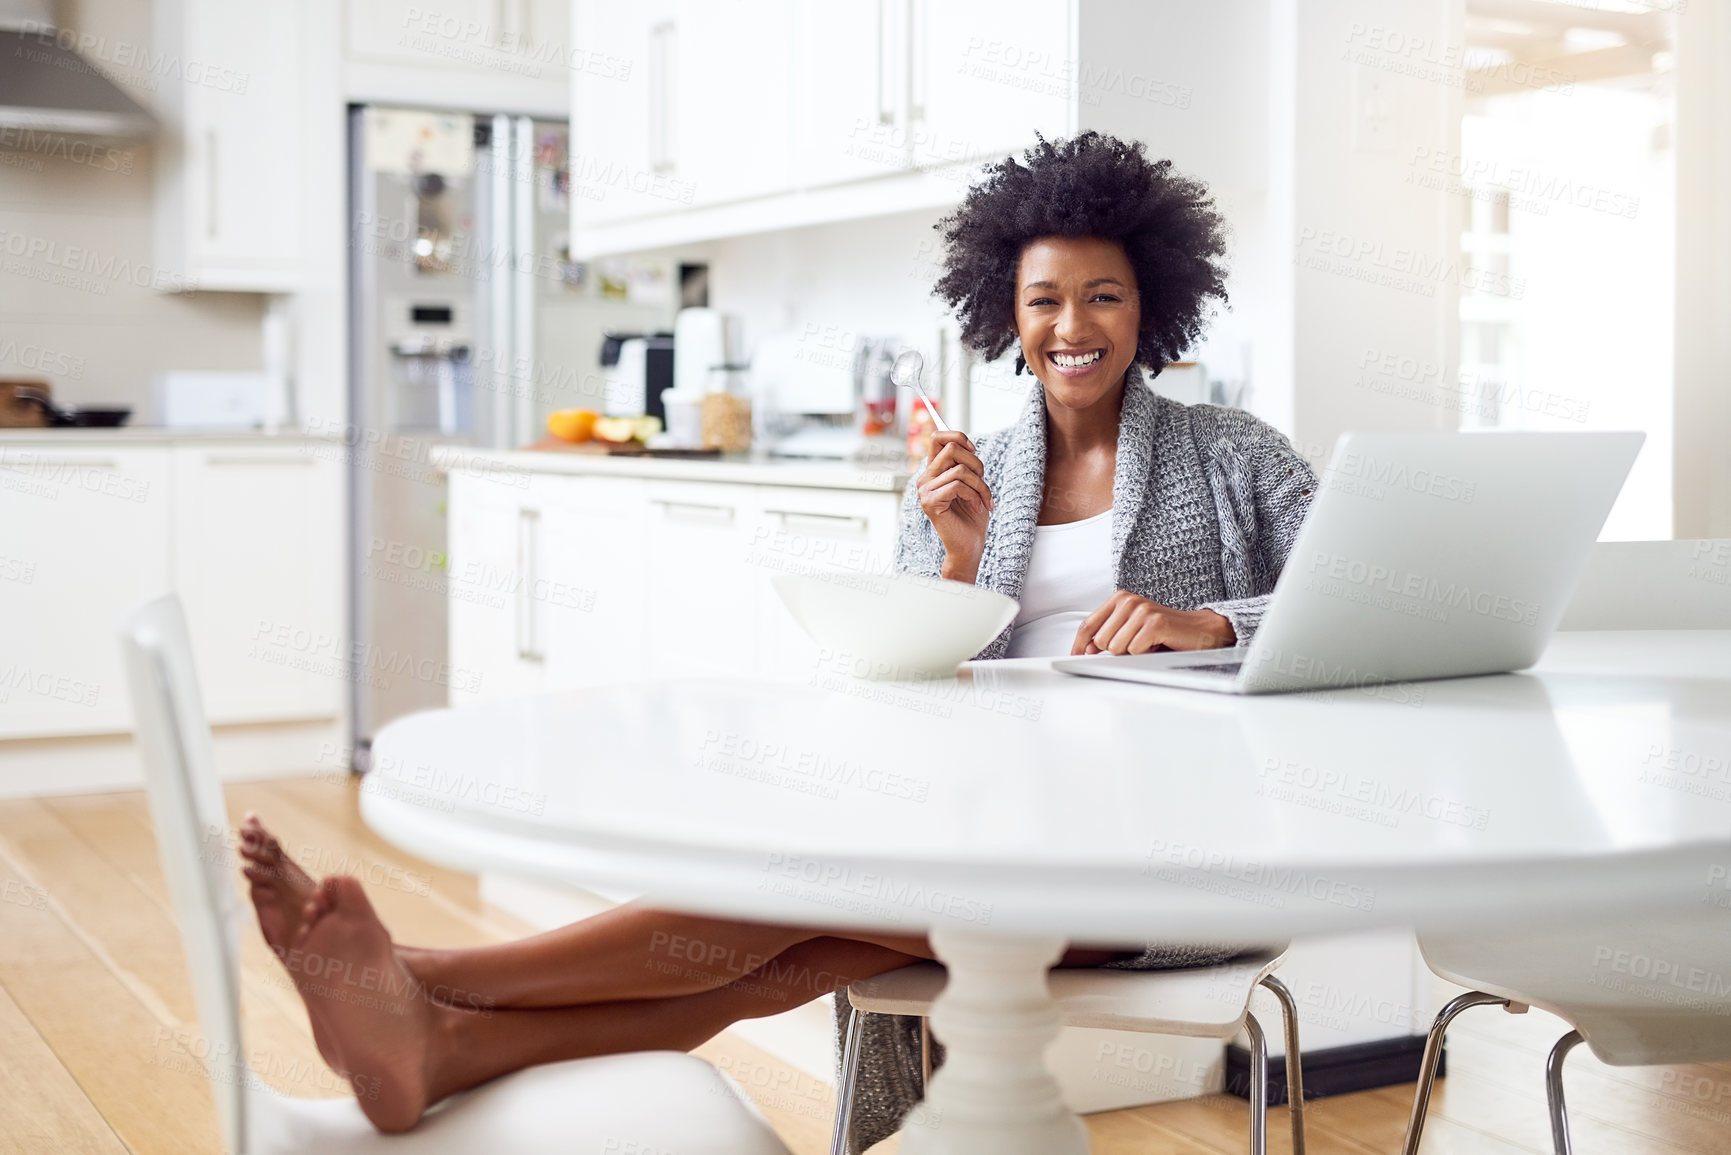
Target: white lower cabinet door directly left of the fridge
[259, 567]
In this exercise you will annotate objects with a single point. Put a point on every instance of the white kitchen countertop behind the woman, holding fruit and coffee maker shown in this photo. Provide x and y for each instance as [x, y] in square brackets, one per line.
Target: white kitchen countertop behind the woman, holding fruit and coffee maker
[738, 468]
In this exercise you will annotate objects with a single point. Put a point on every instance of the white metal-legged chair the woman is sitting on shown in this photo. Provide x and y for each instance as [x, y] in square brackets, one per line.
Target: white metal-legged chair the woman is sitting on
[1199, 1003]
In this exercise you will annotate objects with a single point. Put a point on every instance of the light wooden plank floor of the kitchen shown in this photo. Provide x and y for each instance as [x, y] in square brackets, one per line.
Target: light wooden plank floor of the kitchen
[100, 1038]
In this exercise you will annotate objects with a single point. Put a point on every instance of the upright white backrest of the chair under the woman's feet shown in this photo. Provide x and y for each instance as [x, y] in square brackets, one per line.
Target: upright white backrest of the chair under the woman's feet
[191, 836]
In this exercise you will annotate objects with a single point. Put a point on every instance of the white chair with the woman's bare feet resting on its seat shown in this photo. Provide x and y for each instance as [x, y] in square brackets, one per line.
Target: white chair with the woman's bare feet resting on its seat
[645, 1102]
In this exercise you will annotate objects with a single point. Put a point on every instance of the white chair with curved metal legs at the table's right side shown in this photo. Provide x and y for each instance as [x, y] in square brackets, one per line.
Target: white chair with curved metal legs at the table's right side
[1574, 972]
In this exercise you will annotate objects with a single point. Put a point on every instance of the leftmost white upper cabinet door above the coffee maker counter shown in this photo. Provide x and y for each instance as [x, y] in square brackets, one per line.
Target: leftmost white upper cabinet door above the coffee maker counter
[621, 115]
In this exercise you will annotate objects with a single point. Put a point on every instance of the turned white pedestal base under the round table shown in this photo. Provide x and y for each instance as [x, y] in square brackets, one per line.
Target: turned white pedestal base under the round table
[996, 1017]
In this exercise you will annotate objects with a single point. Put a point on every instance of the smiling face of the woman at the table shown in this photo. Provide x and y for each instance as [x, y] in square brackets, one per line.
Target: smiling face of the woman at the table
[1078, 316]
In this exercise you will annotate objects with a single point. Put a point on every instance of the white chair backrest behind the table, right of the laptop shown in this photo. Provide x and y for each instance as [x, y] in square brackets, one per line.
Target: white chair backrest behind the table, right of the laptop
[1654, 586]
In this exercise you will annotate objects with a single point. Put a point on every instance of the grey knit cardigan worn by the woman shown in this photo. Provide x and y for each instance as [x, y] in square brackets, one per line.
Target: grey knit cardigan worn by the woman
[1206, 505]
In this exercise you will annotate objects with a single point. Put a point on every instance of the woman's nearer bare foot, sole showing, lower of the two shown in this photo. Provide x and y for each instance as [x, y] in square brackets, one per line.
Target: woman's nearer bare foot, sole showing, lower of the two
[370, 1016]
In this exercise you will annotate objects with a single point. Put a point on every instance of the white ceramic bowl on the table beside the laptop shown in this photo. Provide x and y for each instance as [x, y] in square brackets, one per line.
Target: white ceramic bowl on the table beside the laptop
[894, 626]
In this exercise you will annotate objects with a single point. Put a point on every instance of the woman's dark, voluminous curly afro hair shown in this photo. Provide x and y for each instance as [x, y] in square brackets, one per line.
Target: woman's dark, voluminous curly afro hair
[1090, 186]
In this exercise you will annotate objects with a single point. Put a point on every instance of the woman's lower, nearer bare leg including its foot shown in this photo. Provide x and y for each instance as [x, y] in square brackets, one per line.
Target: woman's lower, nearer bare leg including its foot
[404, 1052]
